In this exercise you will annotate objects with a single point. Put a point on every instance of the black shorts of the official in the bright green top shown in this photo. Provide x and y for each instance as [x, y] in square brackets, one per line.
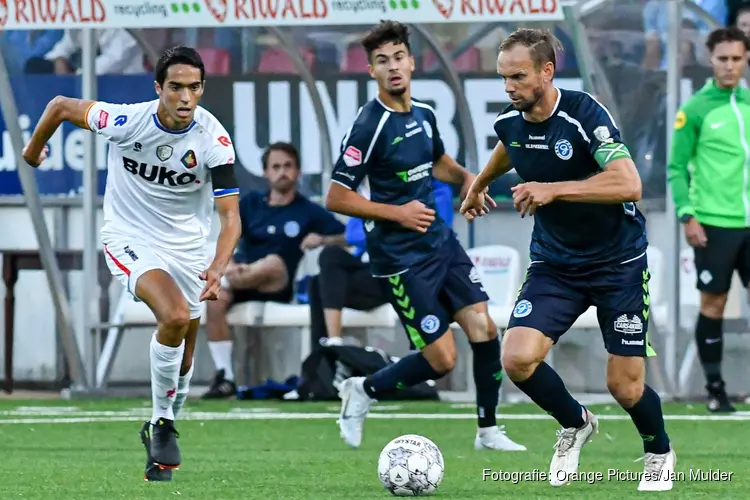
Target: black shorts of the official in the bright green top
[728, 250]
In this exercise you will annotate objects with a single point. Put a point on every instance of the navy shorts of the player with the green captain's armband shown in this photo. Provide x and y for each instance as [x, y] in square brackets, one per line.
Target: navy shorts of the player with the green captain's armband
[551, 300]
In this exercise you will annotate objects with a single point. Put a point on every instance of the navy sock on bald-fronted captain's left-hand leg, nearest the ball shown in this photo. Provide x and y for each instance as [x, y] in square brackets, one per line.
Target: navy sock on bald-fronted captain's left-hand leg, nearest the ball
[547, 390]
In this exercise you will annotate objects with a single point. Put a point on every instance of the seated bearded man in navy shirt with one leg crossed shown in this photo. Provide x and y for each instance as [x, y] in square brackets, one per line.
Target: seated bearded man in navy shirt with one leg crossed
[277, 227]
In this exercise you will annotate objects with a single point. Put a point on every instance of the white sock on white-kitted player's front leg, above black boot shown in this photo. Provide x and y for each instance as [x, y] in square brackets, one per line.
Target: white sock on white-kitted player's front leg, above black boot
[165, 373]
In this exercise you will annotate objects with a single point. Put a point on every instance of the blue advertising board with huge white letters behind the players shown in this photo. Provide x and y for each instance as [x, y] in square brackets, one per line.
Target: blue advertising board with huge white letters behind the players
[258, 110]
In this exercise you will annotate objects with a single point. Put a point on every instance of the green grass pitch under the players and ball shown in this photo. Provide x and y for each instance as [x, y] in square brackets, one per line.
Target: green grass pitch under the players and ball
[81, 450]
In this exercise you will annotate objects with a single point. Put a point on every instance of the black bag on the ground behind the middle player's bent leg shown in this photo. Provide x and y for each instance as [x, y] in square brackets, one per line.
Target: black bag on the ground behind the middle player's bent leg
[328, 363]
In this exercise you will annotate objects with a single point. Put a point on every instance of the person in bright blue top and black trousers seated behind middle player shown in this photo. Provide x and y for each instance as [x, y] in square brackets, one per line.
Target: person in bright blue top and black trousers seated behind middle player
[345, 279]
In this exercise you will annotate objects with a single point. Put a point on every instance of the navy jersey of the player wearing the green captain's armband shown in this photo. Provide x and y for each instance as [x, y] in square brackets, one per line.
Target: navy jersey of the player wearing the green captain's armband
[569, 146]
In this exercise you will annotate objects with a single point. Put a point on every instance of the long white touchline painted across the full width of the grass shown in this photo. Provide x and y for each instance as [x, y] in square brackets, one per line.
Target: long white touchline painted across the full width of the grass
[208, 416]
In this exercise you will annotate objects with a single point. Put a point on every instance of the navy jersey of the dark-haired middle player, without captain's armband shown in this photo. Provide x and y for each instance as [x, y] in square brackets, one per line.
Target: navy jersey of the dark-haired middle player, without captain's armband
[387, 156]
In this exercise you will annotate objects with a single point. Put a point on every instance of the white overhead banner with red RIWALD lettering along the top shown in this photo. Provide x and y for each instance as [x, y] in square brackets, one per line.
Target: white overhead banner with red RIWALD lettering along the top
[45, 14]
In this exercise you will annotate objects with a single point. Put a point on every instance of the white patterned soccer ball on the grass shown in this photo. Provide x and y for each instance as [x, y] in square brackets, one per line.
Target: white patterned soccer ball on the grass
[411, 465]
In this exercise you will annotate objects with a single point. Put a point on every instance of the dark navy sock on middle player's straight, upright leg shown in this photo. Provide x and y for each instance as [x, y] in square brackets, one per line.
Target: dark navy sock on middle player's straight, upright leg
[488, 375]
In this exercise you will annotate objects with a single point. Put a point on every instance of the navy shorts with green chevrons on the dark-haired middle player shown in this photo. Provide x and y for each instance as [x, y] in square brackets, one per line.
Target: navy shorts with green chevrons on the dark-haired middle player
[428, 295]
